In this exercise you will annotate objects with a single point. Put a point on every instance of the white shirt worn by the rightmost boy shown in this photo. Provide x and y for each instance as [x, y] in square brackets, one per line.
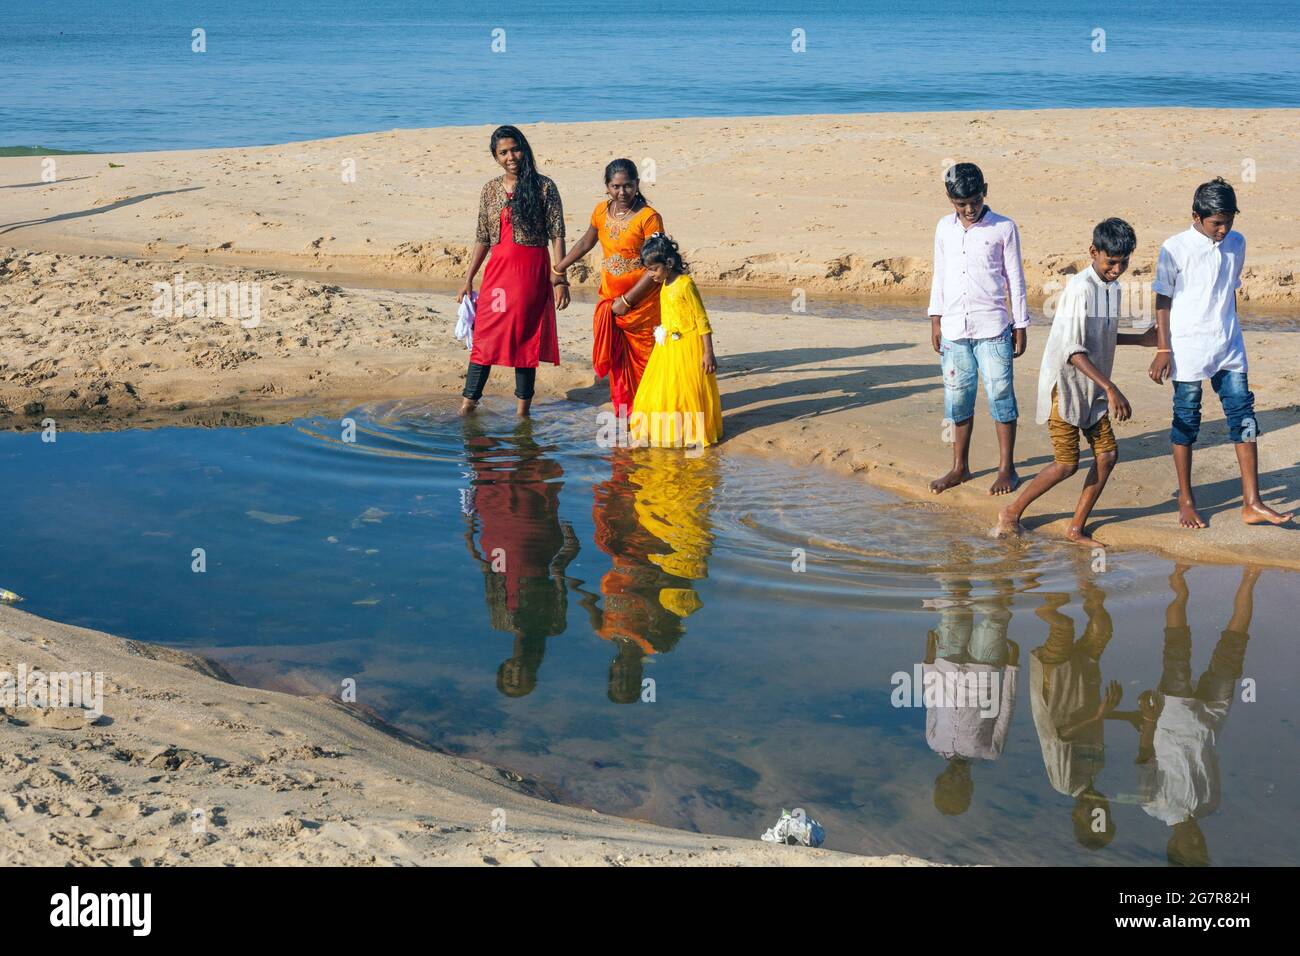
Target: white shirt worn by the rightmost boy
[1202, 278]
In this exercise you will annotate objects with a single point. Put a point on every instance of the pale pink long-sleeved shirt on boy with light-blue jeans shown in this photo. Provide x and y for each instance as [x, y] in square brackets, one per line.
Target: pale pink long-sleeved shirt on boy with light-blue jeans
[980, 283]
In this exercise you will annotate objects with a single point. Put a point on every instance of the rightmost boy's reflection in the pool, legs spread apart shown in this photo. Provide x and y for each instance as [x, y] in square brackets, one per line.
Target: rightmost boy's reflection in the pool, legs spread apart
[1180, 778]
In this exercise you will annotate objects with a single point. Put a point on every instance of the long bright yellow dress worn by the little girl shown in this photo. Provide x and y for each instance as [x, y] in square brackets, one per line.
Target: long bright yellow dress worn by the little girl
[677, 404]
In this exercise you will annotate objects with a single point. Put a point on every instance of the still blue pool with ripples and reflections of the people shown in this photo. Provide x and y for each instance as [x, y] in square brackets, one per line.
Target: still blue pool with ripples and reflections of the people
[696, 642]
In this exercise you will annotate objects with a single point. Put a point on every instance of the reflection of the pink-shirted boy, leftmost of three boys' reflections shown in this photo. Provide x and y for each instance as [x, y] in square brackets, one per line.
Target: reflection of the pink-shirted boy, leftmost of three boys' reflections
[964, 654]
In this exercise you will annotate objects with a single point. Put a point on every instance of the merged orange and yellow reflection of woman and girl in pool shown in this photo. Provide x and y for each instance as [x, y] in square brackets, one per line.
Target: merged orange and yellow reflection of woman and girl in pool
[648, 592]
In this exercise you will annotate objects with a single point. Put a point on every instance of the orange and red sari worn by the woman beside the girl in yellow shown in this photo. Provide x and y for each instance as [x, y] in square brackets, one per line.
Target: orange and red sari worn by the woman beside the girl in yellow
[622, 344]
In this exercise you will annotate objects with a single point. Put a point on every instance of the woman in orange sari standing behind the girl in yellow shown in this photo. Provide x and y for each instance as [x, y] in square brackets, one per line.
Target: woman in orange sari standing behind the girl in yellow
[621, 224]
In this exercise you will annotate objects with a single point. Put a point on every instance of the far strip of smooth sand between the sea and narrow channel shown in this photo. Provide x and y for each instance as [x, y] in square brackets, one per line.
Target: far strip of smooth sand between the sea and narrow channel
[825, 204]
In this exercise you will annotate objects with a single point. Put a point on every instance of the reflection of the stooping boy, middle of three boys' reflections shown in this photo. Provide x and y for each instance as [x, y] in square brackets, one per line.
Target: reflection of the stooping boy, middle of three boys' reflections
[1069, 708]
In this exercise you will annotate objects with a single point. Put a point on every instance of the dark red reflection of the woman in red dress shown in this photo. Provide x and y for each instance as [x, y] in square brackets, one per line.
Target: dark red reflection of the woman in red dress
[523, 546]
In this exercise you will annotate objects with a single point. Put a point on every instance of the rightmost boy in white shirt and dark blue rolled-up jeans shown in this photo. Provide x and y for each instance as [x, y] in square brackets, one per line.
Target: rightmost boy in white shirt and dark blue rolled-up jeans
[1201, 338]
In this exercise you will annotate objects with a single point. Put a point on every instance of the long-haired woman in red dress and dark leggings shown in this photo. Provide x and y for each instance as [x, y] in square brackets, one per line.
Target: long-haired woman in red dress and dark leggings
[519, 213]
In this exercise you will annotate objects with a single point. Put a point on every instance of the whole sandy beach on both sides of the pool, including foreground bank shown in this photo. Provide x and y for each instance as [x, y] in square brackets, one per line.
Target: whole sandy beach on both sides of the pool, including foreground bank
[825, 205]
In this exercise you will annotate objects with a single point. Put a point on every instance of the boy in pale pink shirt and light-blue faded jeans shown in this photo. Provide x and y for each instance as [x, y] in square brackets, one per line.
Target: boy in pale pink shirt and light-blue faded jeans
[978, 322]
